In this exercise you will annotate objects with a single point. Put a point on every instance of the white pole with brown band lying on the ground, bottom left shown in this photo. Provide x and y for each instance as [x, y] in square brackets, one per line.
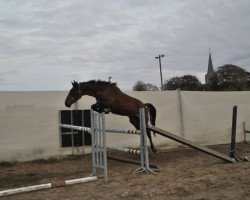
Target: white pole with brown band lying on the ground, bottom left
[55, 184]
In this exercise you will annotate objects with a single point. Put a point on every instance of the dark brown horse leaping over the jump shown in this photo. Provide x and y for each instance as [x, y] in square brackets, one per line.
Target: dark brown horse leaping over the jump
[109, 98]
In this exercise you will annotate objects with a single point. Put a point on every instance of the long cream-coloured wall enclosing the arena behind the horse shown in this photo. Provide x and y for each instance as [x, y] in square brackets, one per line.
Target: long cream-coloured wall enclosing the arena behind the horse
[29, 120]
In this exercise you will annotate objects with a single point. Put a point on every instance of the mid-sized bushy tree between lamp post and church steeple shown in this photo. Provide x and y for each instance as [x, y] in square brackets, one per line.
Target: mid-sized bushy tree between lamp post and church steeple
[186, 82]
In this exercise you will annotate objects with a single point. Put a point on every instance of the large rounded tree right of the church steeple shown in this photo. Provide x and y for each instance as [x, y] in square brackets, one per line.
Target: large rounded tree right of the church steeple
[229, 77]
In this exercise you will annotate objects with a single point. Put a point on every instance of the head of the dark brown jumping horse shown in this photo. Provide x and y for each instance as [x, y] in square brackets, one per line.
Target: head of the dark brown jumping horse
[74, 94]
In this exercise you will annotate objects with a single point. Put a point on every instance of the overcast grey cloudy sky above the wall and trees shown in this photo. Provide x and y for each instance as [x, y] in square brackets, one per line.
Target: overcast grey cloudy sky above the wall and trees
[45, 44]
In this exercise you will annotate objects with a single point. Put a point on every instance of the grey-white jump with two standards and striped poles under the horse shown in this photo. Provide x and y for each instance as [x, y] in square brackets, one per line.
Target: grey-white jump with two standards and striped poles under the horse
[98, 134]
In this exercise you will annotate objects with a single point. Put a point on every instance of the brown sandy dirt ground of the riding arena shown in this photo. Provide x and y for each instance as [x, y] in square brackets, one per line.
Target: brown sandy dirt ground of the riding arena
[186, 174]
